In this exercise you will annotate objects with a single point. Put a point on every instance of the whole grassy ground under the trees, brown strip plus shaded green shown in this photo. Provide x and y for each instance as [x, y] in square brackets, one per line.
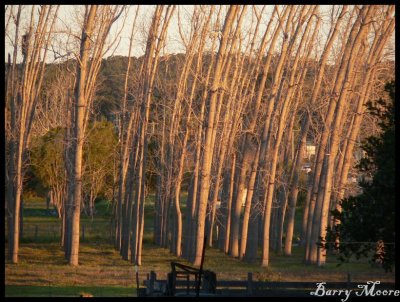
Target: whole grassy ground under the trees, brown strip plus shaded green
[43, 271]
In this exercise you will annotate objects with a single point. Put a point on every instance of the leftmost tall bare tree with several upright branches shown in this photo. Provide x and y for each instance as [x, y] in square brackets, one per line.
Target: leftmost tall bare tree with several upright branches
[23, 89]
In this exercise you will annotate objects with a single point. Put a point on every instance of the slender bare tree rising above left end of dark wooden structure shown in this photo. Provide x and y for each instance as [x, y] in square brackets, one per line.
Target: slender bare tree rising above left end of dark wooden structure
[137, 165]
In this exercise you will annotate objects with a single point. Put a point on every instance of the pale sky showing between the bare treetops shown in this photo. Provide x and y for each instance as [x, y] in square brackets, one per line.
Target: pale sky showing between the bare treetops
[68, 20]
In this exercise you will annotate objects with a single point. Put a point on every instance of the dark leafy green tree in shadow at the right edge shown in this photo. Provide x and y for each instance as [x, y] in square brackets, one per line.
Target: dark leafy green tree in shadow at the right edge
[370, 217]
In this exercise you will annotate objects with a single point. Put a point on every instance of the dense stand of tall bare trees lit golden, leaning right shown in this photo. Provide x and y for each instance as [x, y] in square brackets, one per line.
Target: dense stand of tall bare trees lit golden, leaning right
[231, 117]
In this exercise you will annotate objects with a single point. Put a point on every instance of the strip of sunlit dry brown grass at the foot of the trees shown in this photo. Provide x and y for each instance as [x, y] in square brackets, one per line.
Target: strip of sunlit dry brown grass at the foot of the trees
[101, 265]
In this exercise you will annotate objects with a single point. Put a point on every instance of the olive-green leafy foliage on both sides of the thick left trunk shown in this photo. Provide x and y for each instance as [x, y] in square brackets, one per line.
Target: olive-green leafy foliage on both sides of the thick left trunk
[47, 160]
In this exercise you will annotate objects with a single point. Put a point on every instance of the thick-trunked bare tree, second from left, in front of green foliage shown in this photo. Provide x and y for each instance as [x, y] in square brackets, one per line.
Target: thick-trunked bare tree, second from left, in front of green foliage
[96, 26]
